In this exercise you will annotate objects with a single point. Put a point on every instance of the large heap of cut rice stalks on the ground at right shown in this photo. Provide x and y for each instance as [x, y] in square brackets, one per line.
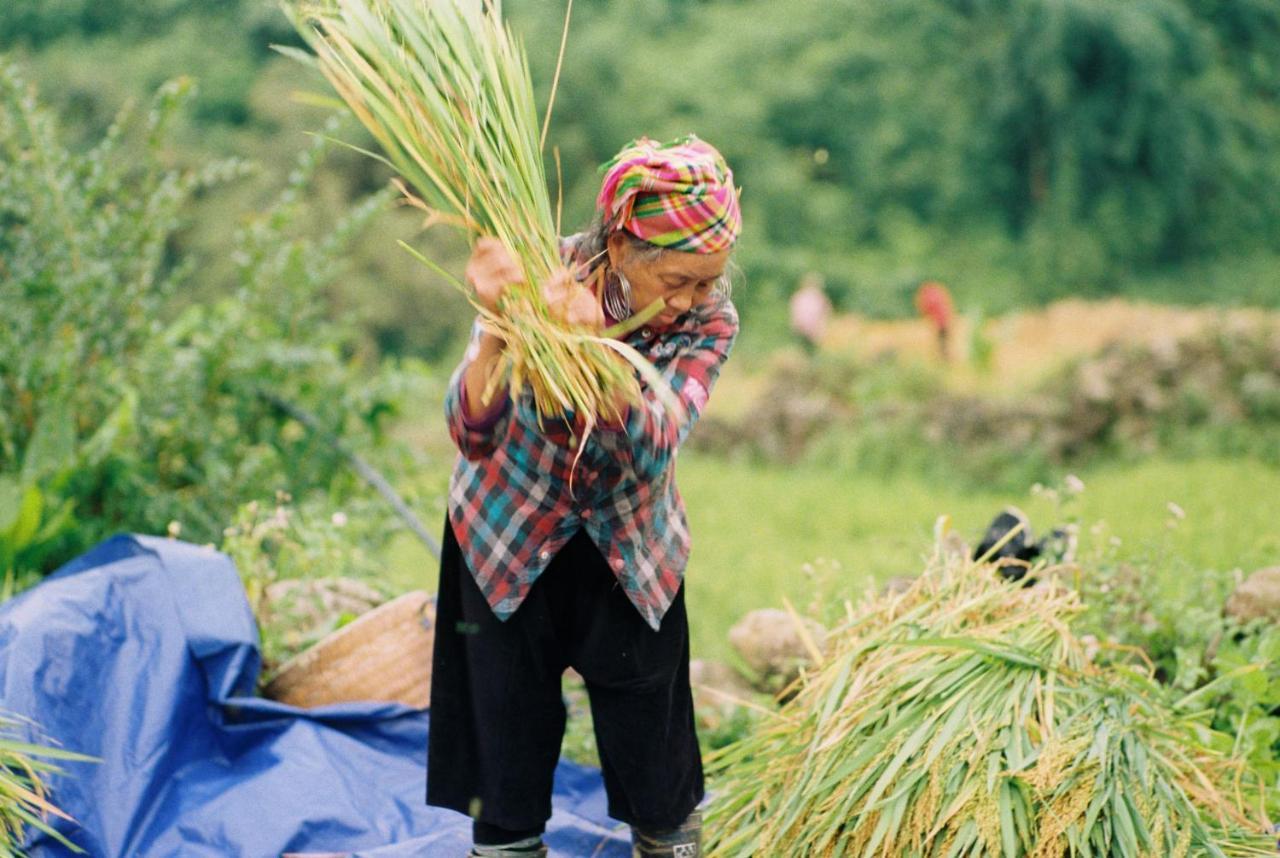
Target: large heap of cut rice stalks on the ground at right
[962, 718]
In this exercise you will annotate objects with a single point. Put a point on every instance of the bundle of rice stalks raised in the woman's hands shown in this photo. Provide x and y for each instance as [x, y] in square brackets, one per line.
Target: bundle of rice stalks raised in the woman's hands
[445, 89]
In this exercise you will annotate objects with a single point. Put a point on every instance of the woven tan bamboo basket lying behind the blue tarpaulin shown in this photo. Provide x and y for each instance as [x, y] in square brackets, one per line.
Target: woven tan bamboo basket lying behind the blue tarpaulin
[385, 655]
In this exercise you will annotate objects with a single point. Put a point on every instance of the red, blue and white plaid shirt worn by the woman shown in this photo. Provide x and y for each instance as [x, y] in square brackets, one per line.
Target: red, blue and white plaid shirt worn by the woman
[510, 500]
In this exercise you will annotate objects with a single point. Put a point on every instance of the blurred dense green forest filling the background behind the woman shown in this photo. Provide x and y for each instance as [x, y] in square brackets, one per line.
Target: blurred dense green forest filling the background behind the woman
[1018, 150]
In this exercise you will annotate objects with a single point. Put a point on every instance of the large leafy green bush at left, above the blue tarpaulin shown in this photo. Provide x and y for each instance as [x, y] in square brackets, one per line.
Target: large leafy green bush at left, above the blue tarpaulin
[124, 405]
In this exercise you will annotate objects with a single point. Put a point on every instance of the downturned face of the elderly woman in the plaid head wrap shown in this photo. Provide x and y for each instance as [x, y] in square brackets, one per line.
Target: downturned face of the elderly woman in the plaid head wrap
[680, 279]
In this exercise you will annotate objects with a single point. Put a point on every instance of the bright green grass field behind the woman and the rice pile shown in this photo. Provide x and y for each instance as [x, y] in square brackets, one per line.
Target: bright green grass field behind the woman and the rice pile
[766, 532]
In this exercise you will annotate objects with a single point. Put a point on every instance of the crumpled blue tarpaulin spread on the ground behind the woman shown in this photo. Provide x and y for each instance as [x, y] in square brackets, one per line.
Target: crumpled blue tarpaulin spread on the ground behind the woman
[144, 654]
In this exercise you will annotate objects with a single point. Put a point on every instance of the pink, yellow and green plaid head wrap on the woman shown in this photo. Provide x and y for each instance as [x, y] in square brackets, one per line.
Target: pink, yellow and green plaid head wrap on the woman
[678, 195]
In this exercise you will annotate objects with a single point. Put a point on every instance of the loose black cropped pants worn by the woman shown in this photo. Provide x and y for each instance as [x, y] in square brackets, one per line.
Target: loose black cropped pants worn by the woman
[499, 715]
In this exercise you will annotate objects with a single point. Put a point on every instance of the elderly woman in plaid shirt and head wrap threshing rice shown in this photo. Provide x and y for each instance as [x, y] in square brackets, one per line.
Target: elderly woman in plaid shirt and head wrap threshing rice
[540, 576]
